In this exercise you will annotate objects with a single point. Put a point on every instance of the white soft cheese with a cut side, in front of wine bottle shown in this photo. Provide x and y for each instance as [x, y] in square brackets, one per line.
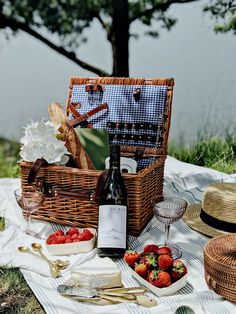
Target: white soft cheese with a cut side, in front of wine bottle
[97, 273]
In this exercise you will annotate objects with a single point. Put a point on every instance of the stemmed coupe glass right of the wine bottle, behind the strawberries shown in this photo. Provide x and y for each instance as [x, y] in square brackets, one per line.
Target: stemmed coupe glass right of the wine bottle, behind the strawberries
[168, 210]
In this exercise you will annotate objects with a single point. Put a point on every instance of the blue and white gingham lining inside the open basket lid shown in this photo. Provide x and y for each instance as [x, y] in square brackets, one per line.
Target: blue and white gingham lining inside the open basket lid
[123, 108]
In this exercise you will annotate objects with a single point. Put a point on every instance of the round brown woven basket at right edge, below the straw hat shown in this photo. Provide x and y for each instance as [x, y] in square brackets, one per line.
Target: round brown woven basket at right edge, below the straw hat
[220, 265]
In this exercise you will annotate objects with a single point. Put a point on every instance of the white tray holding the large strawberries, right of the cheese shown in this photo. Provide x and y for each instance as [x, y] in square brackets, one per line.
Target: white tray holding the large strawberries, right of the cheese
[161, 291]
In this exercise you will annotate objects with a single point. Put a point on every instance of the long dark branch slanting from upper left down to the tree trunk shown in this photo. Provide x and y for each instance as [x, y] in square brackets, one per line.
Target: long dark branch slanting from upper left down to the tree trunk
[14, 25]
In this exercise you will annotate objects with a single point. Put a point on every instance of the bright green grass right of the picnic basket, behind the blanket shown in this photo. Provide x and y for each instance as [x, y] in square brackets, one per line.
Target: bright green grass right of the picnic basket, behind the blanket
[213, 152]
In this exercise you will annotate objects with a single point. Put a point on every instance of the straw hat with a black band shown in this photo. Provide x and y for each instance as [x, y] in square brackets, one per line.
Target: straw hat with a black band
[216, 215]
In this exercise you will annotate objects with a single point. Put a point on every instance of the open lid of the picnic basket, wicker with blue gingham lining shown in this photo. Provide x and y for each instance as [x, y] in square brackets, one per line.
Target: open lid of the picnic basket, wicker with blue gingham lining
[138, 114]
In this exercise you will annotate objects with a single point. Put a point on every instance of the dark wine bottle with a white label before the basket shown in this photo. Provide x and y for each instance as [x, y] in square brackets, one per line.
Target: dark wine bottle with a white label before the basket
[113, 211]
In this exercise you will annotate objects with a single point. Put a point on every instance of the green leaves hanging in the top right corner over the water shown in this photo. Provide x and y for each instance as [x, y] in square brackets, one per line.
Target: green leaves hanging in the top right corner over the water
[224, 11]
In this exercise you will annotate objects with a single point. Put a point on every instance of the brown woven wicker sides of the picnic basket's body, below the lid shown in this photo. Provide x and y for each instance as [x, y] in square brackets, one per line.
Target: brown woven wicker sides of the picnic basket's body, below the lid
[83, 213]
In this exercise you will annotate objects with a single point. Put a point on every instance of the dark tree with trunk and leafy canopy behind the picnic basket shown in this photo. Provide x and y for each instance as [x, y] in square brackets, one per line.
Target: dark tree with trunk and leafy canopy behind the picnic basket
[66, 21]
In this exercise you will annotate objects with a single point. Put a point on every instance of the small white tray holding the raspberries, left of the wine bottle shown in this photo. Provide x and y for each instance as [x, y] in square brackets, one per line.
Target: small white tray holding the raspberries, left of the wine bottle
[73, 248]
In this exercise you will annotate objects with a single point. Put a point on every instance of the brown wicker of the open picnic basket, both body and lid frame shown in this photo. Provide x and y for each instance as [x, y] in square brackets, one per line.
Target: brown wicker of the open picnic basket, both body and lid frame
[141, 186]
